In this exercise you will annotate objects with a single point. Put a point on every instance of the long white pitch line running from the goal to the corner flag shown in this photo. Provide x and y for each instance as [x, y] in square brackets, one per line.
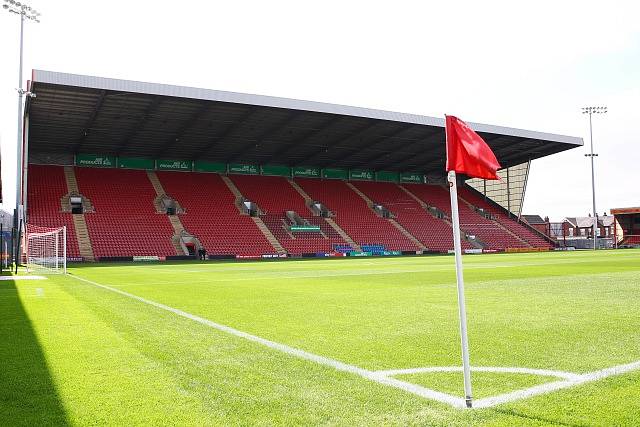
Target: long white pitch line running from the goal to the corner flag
[321, 360]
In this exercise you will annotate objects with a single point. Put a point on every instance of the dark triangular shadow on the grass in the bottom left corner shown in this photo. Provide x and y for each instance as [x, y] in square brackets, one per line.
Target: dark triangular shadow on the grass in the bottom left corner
[27, 393]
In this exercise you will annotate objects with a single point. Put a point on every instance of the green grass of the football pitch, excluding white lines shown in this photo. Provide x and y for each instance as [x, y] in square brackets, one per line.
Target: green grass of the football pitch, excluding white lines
[72, 353]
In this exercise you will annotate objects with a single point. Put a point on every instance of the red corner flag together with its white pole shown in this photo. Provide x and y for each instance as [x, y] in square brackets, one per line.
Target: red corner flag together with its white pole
[466, 153]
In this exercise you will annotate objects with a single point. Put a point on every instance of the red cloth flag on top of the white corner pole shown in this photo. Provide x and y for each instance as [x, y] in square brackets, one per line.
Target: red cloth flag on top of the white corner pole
[467, 152]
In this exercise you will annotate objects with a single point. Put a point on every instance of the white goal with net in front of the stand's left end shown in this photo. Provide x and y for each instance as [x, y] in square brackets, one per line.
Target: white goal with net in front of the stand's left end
[46, 249]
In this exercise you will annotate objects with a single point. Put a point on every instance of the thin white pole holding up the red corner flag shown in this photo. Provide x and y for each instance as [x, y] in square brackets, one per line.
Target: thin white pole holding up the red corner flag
[453, 192]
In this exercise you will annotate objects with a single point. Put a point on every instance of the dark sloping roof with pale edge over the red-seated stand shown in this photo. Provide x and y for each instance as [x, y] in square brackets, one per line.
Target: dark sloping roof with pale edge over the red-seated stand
[85, 114]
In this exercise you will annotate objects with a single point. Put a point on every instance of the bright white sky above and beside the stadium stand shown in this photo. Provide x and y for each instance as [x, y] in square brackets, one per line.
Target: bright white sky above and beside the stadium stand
[507, 63]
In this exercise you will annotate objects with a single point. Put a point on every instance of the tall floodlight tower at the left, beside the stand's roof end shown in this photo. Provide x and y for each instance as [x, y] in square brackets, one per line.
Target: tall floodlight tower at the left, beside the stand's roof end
[25, 12]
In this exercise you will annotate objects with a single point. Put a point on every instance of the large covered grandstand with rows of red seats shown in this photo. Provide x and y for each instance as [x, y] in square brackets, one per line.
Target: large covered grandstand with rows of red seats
[146, 170]
